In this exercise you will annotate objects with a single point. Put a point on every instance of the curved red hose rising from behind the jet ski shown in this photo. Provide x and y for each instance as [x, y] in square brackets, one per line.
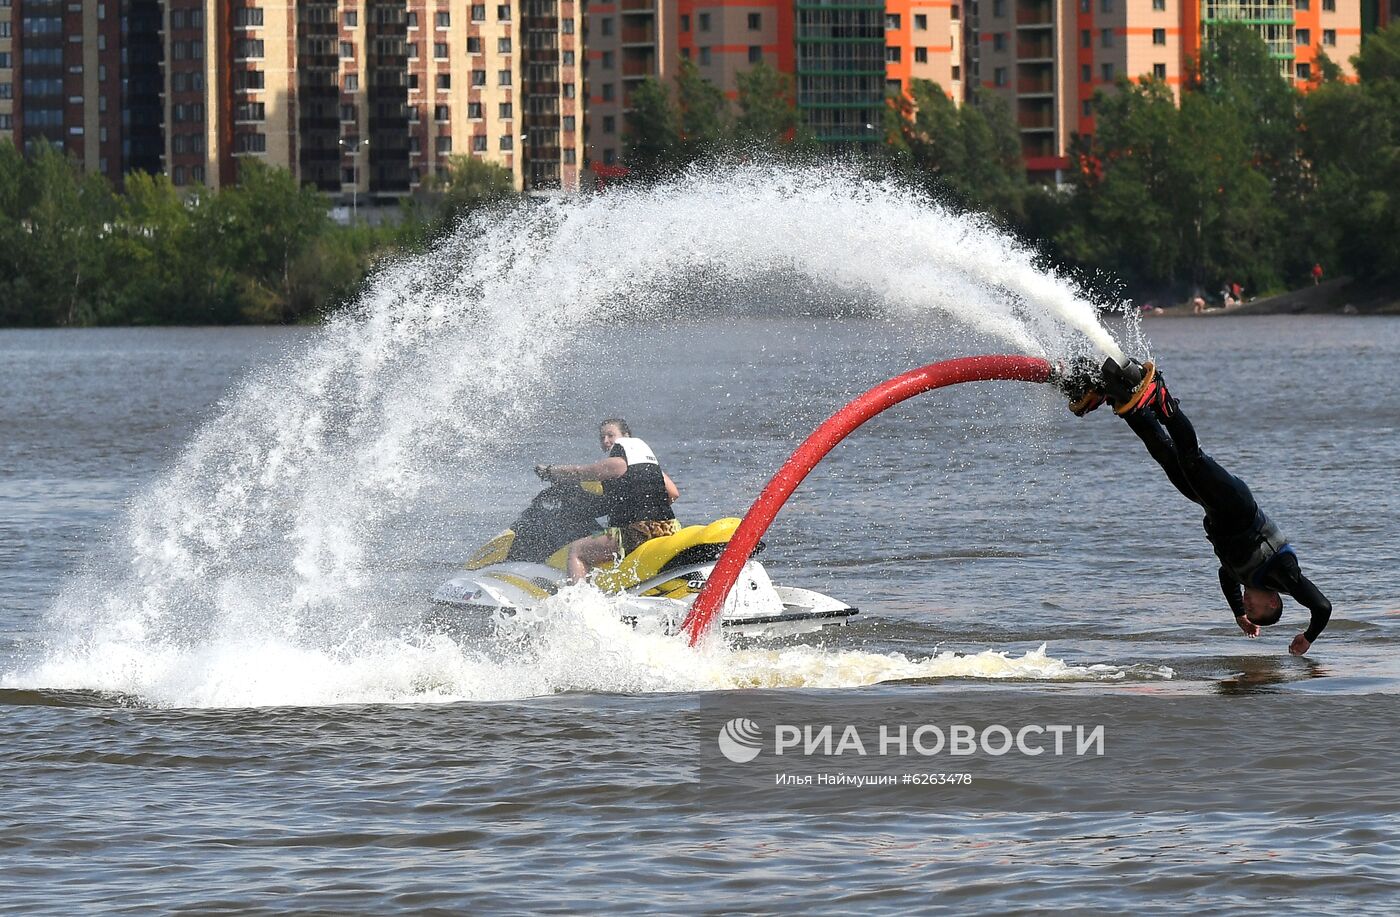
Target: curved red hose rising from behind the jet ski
[824, 439]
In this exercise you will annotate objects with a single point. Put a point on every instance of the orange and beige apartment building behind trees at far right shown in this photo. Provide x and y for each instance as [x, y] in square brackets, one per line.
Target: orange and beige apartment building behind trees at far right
[1049, 58]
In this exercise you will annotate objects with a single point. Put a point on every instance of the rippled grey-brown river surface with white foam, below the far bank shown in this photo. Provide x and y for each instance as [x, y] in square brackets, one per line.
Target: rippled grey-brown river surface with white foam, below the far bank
[230, 750]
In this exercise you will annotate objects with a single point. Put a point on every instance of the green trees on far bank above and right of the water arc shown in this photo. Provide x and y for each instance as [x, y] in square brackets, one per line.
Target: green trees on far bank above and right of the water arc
[1242, 178]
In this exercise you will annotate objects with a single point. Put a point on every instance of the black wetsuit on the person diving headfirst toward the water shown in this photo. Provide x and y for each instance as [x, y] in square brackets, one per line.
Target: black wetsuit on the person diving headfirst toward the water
[1251, 548]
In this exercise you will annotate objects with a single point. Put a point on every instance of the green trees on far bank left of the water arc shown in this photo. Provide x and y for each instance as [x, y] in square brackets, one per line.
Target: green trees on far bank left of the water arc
[73, 251]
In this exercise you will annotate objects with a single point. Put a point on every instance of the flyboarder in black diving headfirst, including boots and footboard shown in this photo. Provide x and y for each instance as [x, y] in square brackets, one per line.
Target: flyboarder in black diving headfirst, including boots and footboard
[1258, 563]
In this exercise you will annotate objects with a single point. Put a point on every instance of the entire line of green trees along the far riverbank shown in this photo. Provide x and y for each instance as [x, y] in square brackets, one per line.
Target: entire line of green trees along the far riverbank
[1242, 177]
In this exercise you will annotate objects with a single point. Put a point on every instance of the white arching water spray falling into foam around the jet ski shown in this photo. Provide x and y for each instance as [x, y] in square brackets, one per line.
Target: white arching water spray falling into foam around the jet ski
[262, 548]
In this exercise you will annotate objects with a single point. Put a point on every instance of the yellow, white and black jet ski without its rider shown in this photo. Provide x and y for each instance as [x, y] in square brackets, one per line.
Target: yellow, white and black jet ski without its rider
[524, 565]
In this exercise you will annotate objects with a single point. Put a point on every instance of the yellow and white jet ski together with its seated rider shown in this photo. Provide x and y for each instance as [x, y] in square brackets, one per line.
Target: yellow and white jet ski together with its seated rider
[660, 573]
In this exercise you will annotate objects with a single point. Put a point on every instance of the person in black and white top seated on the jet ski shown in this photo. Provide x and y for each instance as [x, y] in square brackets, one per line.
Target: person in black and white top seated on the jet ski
[638, 492]
